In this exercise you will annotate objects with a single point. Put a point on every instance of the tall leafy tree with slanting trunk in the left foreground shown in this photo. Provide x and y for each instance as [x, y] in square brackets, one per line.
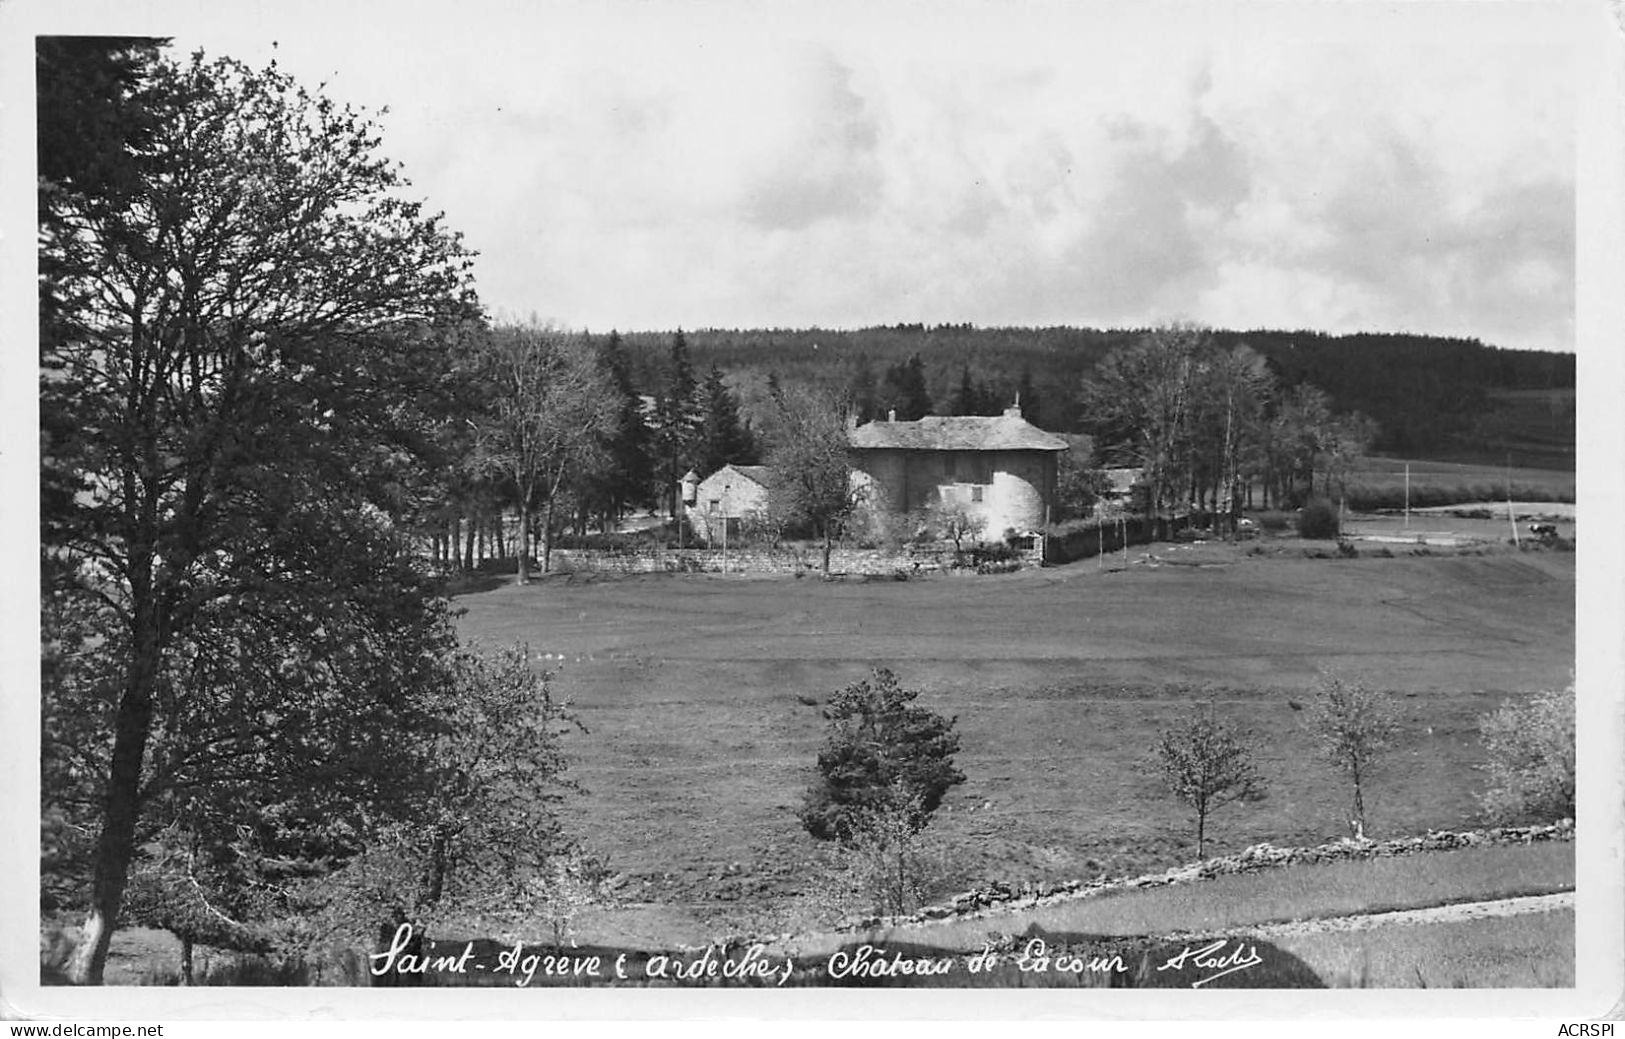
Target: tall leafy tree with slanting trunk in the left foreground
[246, 324]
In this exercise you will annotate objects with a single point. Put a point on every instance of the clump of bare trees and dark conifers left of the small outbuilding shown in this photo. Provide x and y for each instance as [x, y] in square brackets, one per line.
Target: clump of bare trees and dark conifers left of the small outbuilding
[550, 427]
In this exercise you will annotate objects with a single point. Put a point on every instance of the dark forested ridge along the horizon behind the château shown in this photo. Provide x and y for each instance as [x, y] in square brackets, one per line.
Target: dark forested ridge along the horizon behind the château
[1424, 393]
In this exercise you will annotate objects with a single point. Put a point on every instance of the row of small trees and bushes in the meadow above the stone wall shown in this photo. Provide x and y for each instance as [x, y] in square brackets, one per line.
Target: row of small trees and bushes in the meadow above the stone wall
[888, 763]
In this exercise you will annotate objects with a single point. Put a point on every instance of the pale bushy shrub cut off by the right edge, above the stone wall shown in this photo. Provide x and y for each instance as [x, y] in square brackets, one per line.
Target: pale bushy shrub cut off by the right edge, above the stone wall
[1532, 760]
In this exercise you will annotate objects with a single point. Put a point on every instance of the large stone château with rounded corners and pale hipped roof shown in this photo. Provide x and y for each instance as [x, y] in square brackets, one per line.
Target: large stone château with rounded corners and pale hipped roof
[1000, 471]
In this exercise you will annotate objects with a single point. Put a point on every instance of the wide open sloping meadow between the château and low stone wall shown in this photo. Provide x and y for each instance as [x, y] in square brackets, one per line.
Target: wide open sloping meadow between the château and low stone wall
[701, 746]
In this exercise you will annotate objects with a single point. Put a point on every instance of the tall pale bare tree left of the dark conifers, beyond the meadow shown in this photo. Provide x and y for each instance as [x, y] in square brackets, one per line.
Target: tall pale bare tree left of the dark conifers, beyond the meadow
[552, 412]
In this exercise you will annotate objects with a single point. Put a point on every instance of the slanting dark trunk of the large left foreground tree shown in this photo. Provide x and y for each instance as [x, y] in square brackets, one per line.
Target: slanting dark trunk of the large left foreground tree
[116, 843]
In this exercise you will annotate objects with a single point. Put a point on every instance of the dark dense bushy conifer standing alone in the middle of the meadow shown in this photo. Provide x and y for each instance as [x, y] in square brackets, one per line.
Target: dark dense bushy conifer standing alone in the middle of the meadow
[883, 755]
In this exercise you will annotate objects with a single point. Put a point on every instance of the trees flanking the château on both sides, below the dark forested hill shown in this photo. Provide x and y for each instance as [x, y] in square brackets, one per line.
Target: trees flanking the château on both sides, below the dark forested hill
[557, 425]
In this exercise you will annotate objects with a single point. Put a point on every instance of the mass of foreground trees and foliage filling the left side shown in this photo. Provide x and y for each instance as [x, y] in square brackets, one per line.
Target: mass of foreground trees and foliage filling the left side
[254, 357]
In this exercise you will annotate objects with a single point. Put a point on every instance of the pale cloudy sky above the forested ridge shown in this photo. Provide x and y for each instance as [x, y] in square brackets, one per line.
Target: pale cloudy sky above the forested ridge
[1340, 167]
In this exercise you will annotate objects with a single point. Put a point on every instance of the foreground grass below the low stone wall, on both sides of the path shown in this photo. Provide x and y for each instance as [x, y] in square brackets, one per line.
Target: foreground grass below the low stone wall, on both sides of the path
[1525, 950]
